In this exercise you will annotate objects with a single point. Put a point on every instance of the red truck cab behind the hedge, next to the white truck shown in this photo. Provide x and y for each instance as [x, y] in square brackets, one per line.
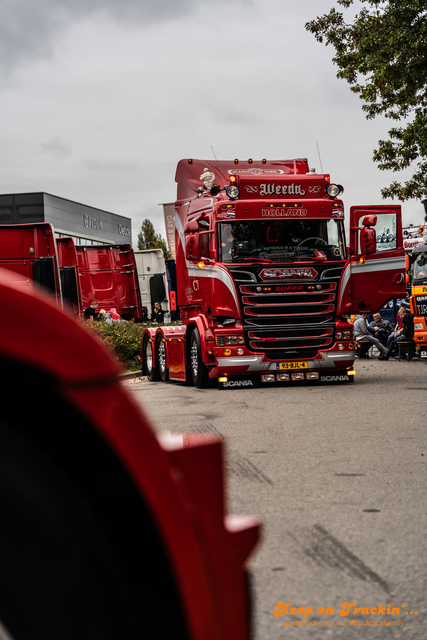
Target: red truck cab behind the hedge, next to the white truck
[108, 276]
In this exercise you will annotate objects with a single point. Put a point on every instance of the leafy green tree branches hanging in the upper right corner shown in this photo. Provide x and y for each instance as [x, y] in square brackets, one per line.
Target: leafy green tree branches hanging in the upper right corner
[382, 54]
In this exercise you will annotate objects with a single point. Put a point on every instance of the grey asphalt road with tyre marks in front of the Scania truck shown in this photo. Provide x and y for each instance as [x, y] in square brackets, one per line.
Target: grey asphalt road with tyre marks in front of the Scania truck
[337, 474]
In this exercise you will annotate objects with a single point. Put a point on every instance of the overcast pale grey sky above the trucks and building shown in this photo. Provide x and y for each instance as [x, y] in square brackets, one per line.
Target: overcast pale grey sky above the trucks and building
[99, 99]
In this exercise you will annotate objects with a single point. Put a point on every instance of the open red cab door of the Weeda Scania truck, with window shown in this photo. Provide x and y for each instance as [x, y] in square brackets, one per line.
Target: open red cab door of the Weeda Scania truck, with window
[380, 276]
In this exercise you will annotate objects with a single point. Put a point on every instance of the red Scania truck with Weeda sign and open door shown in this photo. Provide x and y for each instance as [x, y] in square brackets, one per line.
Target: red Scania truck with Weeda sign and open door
[266, 281]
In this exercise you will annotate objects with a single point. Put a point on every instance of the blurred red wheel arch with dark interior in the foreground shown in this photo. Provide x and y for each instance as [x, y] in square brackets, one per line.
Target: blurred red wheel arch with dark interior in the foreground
[107, 531]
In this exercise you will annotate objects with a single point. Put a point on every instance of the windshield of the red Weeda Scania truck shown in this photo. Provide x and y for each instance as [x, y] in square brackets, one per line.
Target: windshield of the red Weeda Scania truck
[280, 240]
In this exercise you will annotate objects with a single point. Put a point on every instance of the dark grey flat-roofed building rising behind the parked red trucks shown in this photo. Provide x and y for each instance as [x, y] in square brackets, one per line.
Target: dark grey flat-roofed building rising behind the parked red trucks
[86, 225]
